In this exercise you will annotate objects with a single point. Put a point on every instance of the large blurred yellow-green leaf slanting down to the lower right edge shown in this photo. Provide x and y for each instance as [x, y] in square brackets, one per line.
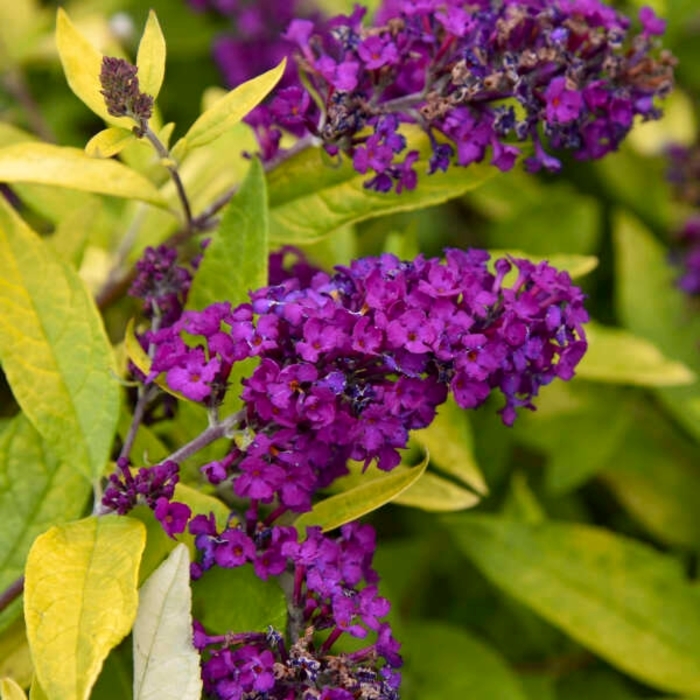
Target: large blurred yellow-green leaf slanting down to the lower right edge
[620, 598]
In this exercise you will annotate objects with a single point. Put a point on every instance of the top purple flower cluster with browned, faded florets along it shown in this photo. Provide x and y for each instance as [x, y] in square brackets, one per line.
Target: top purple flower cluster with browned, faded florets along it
[474, 76]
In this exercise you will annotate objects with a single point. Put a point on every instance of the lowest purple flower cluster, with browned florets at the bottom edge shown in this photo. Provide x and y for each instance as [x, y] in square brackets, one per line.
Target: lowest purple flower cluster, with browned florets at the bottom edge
[332, 591]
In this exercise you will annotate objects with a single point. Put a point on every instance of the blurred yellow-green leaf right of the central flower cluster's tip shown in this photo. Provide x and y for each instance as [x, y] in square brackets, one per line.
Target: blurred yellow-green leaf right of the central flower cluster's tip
[618, 356]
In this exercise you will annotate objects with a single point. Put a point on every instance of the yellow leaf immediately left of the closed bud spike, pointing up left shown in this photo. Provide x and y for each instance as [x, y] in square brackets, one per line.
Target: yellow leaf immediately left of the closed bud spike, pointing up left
[82, 64]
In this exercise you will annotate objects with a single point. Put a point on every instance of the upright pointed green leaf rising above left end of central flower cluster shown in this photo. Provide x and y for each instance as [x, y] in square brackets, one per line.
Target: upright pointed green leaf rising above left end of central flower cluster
[235, 261]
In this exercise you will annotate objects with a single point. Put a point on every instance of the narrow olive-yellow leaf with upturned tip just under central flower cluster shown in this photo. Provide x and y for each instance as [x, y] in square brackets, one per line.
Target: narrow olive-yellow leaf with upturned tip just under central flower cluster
[352, 504]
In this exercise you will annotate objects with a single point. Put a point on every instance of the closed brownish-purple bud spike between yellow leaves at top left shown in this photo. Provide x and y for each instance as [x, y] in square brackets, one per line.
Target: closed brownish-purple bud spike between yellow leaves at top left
[120, 88]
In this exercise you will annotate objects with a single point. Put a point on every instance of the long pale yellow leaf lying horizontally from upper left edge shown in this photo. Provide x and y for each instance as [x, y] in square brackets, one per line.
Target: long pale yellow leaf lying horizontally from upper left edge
[62, 166]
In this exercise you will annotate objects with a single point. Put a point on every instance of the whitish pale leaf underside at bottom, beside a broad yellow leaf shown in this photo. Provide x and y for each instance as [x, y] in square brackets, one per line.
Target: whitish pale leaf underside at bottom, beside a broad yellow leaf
[166, 664]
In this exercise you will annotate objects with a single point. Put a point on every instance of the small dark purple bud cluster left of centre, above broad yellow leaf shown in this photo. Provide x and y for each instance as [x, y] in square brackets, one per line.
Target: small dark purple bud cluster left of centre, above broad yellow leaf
[153, 486]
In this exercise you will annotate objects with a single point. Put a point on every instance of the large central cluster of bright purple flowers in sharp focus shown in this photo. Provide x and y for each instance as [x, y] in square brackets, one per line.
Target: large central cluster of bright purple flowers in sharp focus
[353, 361]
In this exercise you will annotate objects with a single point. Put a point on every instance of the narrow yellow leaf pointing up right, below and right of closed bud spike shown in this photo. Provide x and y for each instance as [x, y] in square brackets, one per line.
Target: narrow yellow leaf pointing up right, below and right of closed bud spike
[228, 111]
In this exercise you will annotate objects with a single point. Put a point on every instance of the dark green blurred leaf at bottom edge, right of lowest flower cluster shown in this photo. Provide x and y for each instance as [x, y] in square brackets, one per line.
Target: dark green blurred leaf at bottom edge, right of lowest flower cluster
[444, 661]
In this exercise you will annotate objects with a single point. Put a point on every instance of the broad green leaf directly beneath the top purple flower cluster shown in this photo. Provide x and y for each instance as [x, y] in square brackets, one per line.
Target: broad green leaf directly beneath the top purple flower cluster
[309, 198]
